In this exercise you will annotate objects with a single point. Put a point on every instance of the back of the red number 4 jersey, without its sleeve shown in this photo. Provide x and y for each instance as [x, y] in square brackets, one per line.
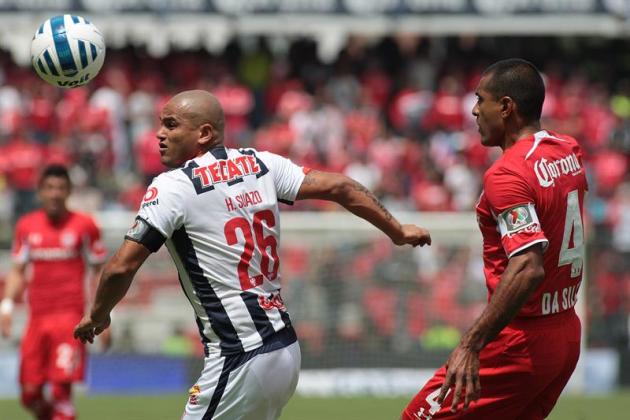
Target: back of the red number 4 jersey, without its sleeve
[552, 165]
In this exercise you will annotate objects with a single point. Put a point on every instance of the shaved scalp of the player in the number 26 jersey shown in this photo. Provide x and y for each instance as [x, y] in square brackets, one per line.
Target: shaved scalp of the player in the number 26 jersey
[200, 107]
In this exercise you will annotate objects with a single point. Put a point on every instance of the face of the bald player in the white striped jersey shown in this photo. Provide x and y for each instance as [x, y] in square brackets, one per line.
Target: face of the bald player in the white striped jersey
[178, 136]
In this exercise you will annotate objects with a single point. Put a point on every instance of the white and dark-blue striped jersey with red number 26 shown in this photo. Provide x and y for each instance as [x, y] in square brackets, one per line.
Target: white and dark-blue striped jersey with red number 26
[219, 218]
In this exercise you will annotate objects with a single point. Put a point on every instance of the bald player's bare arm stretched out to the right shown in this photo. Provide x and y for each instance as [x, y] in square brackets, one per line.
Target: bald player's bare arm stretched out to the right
[360, 201]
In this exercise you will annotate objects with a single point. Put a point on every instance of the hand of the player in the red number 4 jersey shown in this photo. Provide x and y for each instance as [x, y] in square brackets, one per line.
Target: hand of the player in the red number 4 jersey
[462, 372]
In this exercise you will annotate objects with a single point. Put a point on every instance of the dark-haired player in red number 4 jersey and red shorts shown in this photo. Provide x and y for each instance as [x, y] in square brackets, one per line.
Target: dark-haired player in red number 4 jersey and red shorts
[519, 354]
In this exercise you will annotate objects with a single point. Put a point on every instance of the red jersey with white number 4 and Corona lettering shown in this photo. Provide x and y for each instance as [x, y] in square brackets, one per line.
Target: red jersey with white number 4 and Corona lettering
[534, 194]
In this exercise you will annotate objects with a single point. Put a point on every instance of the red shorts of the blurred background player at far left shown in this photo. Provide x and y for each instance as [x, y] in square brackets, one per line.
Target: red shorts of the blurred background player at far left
[49, 352]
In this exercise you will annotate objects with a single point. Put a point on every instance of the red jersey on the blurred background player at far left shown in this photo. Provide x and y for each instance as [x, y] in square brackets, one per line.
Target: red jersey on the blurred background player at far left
[57, 253]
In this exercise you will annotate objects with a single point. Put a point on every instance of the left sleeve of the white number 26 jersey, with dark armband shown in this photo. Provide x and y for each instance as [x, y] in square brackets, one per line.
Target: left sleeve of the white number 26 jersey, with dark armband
[161, 213]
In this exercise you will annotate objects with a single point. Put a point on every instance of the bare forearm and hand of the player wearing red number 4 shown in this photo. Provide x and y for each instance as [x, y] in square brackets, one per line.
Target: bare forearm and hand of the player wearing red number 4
[522, 276]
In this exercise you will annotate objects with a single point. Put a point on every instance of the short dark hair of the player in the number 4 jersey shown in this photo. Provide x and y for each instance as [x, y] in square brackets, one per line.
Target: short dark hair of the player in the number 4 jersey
[520, 80]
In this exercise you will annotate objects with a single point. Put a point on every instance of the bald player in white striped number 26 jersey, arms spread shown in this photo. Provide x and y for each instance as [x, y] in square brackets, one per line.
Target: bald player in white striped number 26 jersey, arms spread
[217, 212]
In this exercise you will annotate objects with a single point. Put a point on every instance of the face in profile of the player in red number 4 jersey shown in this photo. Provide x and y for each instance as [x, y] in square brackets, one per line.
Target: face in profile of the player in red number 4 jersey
[487, 111]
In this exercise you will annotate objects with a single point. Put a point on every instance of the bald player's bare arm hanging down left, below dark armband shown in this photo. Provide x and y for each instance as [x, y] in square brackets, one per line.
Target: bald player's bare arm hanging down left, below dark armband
[115, 281]
